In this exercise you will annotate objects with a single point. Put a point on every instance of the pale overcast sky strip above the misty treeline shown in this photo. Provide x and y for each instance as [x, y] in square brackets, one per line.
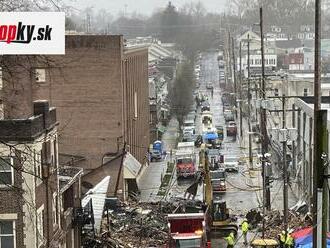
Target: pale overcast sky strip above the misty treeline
[145, 7]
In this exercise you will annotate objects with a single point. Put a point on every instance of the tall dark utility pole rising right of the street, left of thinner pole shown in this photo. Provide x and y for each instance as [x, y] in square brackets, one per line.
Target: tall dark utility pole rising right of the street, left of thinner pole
[263, 120]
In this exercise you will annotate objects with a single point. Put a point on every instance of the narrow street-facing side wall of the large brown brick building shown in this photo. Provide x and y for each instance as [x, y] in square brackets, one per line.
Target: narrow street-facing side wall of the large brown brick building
[135, 66]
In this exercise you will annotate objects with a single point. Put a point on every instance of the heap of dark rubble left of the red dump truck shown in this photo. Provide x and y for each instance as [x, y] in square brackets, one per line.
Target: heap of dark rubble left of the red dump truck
[139, 224]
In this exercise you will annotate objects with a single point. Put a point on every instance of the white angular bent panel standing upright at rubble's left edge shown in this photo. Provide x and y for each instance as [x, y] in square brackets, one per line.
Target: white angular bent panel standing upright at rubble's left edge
[97, 196]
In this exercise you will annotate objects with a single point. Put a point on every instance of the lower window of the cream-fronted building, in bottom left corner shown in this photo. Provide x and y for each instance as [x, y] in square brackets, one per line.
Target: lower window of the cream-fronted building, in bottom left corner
[7, 234]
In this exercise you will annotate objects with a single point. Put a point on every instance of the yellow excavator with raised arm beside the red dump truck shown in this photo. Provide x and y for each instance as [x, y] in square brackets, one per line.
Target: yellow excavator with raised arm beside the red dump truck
[220, 220]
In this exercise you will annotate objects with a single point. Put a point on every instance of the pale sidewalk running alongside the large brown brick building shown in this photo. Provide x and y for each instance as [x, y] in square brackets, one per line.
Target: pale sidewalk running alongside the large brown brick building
[151, 179]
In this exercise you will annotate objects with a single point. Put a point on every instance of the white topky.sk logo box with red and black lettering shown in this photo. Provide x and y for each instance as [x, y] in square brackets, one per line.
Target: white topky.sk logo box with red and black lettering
[32, 33]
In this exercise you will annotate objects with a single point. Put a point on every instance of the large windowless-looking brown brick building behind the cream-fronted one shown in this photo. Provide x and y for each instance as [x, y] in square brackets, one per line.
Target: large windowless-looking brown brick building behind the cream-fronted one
[100, 90]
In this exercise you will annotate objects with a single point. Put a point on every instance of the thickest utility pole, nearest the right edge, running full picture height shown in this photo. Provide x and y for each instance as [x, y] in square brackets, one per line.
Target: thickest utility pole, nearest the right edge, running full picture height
[319, 142]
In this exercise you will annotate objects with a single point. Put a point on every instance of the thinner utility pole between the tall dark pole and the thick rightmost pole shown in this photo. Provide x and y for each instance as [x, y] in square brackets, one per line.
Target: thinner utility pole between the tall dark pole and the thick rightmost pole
[285, 172]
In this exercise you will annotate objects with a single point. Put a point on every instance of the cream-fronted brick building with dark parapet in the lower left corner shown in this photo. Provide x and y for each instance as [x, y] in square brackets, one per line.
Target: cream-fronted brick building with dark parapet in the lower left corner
[30, 210]
